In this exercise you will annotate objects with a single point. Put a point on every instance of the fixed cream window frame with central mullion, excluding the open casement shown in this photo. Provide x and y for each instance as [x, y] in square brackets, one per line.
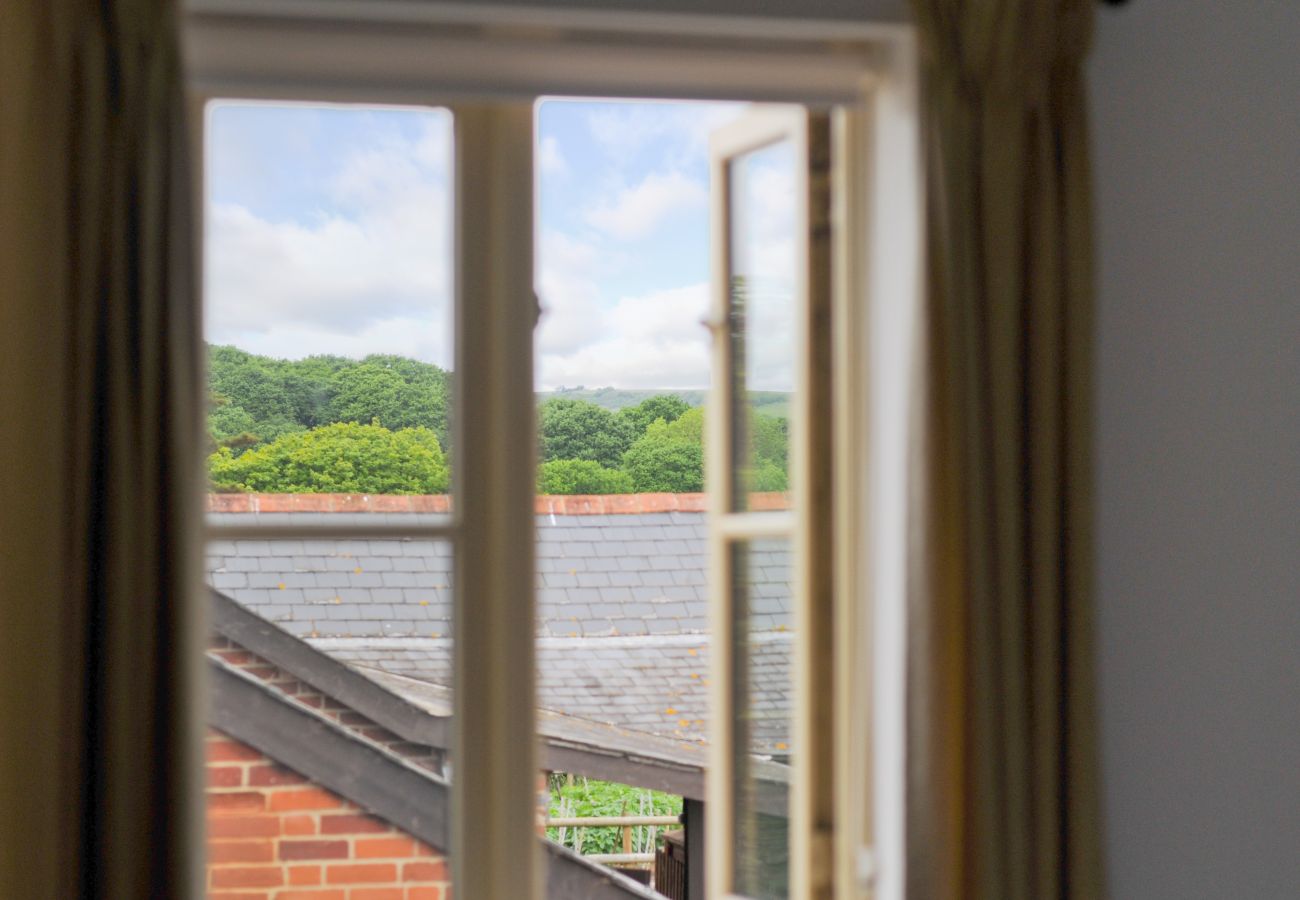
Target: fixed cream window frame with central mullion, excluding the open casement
[461, 57]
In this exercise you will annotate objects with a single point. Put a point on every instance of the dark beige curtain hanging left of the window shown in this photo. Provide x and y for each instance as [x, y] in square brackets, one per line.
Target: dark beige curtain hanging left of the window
[99, 358]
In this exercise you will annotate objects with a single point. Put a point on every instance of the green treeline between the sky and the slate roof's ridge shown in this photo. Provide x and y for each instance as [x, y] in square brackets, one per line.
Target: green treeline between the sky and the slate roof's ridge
[331, 425]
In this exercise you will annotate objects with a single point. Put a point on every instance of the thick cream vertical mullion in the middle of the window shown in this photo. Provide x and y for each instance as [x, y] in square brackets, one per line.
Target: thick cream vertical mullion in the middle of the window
[495, 841]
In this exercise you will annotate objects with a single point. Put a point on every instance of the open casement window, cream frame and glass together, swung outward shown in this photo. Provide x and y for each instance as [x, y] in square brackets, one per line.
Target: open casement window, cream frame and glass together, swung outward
[772, 823]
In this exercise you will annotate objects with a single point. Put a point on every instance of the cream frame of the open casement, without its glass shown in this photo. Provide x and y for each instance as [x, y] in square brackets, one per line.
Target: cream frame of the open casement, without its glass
[807, 529]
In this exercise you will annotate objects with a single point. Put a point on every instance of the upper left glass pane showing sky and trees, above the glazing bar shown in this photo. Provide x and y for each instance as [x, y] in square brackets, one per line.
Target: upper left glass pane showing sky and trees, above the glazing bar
[330, 306]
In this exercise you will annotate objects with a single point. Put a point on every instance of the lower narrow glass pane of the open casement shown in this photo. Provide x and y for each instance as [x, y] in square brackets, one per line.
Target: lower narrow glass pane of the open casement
[762, 700]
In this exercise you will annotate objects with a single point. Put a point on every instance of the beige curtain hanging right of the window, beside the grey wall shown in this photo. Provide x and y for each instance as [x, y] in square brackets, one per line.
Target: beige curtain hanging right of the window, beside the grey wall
[1002, 735]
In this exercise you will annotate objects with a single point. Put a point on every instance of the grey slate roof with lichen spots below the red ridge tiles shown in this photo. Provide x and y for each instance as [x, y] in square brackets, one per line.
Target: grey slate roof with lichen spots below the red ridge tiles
[622, 615]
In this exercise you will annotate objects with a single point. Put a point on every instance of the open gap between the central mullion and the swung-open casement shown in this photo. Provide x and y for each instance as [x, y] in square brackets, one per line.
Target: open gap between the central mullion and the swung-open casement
[623, 377]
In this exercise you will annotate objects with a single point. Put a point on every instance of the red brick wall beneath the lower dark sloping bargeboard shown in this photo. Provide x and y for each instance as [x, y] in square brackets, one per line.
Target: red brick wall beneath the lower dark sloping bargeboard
[272, 836]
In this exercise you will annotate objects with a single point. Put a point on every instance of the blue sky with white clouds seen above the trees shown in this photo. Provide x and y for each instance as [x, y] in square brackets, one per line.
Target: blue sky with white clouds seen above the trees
[328, 232]
